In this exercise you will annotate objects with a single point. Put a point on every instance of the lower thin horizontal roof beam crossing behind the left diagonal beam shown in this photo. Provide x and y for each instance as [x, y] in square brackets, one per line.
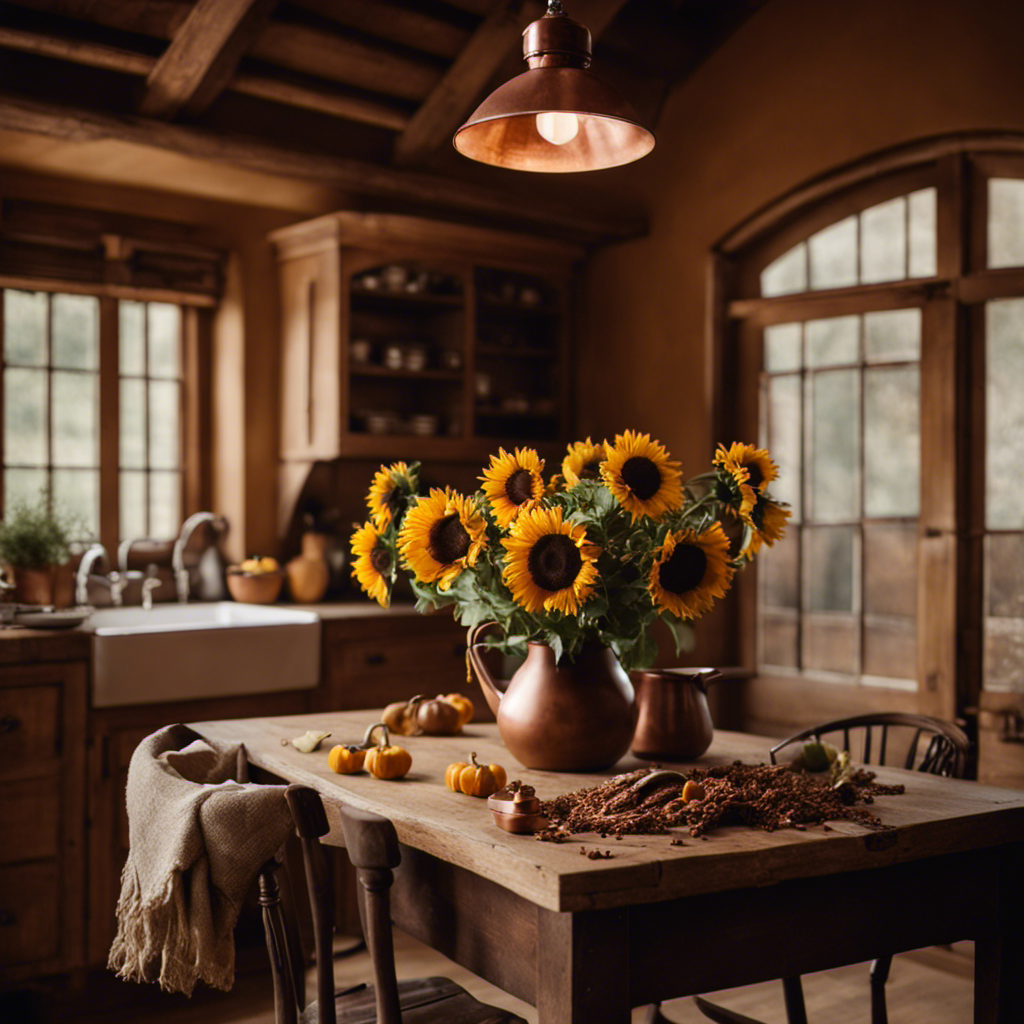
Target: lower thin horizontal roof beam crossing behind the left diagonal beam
[132, 63]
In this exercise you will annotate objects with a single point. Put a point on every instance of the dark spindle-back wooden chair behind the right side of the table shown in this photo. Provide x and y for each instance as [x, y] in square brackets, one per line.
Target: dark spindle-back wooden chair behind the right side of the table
[946, 754]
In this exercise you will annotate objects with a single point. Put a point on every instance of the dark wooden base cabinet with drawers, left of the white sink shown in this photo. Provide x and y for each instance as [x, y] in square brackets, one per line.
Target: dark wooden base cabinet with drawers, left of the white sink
[42, 819]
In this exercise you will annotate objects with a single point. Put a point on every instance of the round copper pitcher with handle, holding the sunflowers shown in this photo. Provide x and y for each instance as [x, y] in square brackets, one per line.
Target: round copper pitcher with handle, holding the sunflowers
[569, 718]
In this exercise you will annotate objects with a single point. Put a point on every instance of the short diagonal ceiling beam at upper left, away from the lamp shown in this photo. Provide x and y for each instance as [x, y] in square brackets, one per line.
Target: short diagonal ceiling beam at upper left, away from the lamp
[203, 56]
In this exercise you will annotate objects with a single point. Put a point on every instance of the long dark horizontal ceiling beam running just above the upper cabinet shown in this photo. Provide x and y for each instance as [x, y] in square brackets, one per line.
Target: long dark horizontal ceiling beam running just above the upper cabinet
[63, 121]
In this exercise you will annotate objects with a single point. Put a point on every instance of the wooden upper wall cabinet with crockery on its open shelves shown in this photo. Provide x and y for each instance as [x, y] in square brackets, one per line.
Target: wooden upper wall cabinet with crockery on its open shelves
[409, 338]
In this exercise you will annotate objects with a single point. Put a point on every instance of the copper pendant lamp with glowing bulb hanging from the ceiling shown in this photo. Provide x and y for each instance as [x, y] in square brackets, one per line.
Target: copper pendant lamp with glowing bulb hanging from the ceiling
[559, 116]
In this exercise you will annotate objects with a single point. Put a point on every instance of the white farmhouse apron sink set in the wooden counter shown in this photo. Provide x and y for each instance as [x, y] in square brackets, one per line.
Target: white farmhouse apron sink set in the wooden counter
[184, 652]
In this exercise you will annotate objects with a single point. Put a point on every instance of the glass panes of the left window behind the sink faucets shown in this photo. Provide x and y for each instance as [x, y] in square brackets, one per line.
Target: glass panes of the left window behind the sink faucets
[55, 425]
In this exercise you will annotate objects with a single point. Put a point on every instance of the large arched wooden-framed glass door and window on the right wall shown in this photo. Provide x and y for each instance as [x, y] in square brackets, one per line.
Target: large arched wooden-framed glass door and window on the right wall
[872, 335]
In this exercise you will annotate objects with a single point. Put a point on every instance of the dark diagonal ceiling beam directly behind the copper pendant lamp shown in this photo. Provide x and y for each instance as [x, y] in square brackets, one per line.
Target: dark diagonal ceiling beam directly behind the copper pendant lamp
[458, 94]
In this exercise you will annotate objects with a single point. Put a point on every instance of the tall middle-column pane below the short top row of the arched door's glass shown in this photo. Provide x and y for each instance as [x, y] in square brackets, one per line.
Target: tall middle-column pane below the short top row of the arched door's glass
[834, 442]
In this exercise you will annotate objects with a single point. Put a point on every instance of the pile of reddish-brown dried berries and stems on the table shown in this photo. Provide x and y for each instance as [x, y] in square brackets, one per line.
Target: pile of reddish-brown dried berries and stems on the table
[767, 797]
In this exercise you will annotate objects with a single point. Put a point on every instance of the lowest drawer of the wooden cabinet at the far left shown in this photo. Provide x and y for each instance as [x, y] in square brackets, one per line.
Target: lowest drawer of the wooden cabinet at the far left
[30, 916]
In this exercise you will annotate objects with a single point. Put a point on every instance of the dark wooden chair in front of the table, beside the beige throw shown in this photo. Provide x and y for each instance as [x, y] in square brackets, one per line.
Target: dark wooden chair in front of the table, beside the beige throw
[373, 850]
